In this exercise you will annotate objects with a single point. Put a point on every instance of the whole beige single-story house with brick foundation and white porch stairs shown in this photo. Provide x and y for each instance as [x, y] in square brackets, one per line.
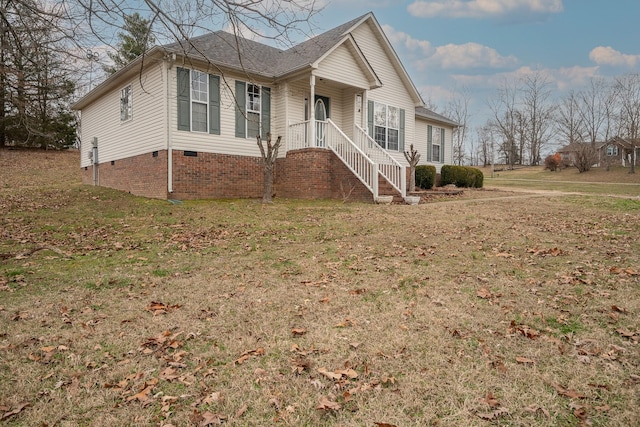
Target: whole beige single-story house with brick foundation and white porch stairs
[181, 122]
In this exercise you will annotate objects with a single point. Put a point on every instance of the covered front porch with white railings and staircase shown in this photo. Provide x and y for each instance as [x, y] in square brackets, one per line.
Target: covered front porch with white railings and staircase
[327, 115]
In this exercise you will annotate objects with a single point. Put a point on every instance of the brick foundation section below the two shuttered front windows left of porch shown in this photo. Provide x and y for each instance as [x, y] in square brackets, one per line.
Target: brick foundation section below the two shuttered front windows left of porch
[216, 176]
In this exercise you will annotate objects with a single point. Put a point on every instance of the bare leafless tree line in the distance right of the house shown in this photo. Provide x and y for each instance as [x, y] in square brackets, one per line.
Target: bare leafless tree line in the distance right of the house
[526, 120]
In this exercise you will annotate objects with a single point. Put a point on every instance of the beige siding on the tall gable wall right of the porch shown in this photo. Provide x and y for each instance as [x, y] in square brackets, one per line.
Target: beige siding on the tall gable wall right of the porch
[393, 91]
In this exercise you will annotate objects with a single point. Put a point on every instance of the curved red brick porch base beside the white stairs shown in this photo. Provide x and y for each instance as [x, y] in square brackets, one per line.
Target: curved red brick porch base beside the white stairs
[316, 173]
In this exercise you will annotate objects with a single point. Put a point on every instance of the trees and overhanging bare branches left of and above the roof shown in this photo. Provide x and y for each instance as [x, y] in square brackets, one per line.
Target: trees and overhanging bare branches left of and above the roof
[48, 48]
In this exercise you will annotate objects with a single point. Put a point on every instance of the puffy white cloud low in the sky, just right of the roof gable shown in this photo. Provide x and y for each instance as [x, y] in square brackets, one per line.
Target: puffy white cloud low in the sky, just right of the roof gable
[470, 55]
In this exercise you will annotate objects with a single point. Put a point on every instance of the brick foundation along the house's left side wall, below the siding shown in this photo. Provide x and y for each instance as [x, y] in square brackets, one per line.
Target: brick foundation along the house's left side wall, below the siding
[143, 175]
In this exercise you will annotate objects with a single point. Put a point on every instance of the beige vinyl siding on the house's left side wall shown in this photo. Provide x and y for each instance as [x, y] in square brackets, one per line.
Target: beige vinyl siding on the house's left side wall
[145, 132]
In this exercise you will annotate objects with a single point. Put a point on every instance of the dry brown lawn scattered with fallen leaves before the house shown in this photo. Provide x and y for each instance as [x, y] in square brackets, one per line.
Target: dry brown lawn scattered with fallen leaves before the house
[495, 311]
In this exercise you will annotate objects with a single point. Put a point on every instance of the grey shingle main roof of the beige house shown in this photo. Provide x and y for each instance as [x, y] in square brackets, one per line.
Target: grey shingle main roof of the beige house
[225, 49]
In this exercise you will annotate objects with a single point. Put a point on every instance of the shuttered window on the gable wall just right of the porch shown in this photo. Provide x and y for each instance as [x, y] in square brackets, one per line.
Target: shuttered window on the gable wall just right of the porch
[386, 125]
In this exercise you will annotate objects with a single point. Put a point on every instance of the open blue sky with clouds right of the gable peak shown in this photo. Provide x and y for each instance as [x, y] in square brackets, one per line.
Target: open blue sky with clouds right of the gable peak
[449, 45]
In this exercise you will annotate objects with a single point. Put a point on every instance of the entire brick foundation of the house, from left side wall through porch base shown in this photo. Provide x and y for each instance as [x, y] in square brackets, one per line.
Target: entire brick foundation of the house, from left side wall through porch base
[311, 173]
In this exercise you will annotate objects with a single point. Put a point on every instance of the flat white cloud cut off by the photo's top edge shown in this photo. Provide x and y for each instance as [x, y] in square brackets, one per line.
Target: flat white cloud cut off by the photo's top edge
[484, 8]
